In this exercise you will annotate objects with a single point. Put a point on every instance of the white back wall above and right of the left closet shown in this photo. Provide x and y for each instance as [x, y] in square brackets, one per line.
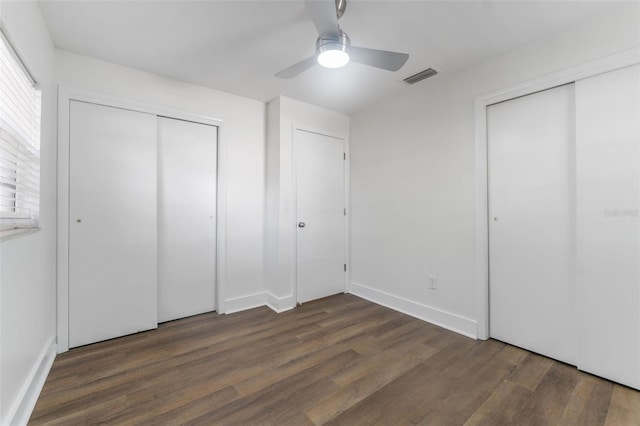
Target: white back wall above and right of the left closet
[243, 131]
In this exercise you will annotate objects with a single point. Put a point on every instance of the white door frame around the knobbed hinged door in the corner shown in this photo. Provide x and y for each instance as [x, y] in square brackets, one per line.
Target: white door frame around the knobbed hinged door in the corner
[294, 204]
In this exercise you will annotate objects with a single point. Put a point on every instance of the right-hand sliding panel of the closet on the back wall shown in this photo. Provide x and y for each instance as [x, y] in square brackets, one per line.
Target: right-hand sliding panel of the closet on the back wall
[187, 159]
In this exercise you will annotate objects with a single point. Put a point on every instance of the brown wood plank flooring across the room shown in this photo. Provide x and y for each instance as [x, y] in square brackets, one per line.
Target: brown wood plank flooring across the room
[337, 361]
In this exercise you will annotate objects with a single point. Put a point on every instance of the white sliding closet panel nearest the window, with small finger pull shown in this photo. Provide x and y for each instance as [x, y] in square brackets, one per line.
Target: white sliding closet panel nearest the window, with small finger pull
[112, 229]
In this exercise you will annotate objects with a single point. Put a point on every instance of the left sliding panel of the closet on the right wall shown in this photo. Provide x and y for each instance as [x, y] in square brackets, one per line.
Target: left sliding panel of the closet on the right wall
[531, 144]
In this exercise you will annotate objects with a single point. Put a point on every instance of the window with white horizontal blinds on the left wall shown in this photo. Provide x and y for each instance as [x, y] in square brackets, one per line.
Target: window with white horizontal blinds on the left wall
[19, 142]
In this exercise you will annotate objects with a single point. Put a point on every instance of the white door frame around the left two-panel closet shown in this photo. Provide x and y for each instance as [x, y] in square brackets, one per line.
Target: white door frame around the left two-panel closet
[65, 96]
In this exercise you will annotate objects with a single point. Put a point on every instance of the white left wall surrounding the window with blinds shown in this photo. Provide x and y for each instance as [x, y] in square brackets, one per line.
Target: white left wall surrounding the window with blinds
[27, 263]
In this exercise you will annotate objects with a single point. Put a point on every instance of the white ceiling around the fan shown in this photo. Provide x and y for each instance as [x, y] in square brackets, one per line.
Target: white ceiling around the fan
[237, 46]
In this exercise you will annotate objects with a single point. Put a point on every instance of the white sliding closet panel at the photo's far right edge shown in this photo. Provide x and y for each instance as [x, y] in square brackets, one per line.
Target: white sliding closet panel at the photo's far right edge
[608, 152]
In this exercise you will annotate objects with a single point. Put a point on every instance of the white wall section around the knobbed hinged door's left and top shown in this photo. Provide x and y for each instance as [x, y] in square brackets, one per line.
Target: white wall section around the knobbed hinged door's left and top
[283, 114]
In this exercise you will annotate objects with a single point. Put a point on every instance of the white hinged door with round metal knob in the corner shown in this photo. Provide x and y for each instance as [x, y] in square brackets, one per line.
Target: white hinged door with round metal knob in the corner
[319, 162]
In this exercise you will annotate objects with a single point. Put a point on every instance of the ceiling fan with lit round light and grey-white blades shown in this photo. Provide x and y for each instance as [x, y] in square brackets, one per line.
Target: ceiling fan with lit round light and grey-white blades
[333, 46]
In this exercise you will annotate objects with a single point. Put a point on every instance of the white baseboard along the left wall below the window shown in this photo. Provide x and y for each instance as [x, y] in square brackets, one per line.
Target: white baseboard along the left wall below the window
[20, 412]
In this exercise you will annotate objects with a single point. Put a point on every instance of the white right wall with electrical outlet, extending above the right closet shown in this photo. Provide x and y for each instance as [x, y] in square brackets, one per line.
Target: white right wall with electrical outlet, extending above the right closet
[413, 176]
